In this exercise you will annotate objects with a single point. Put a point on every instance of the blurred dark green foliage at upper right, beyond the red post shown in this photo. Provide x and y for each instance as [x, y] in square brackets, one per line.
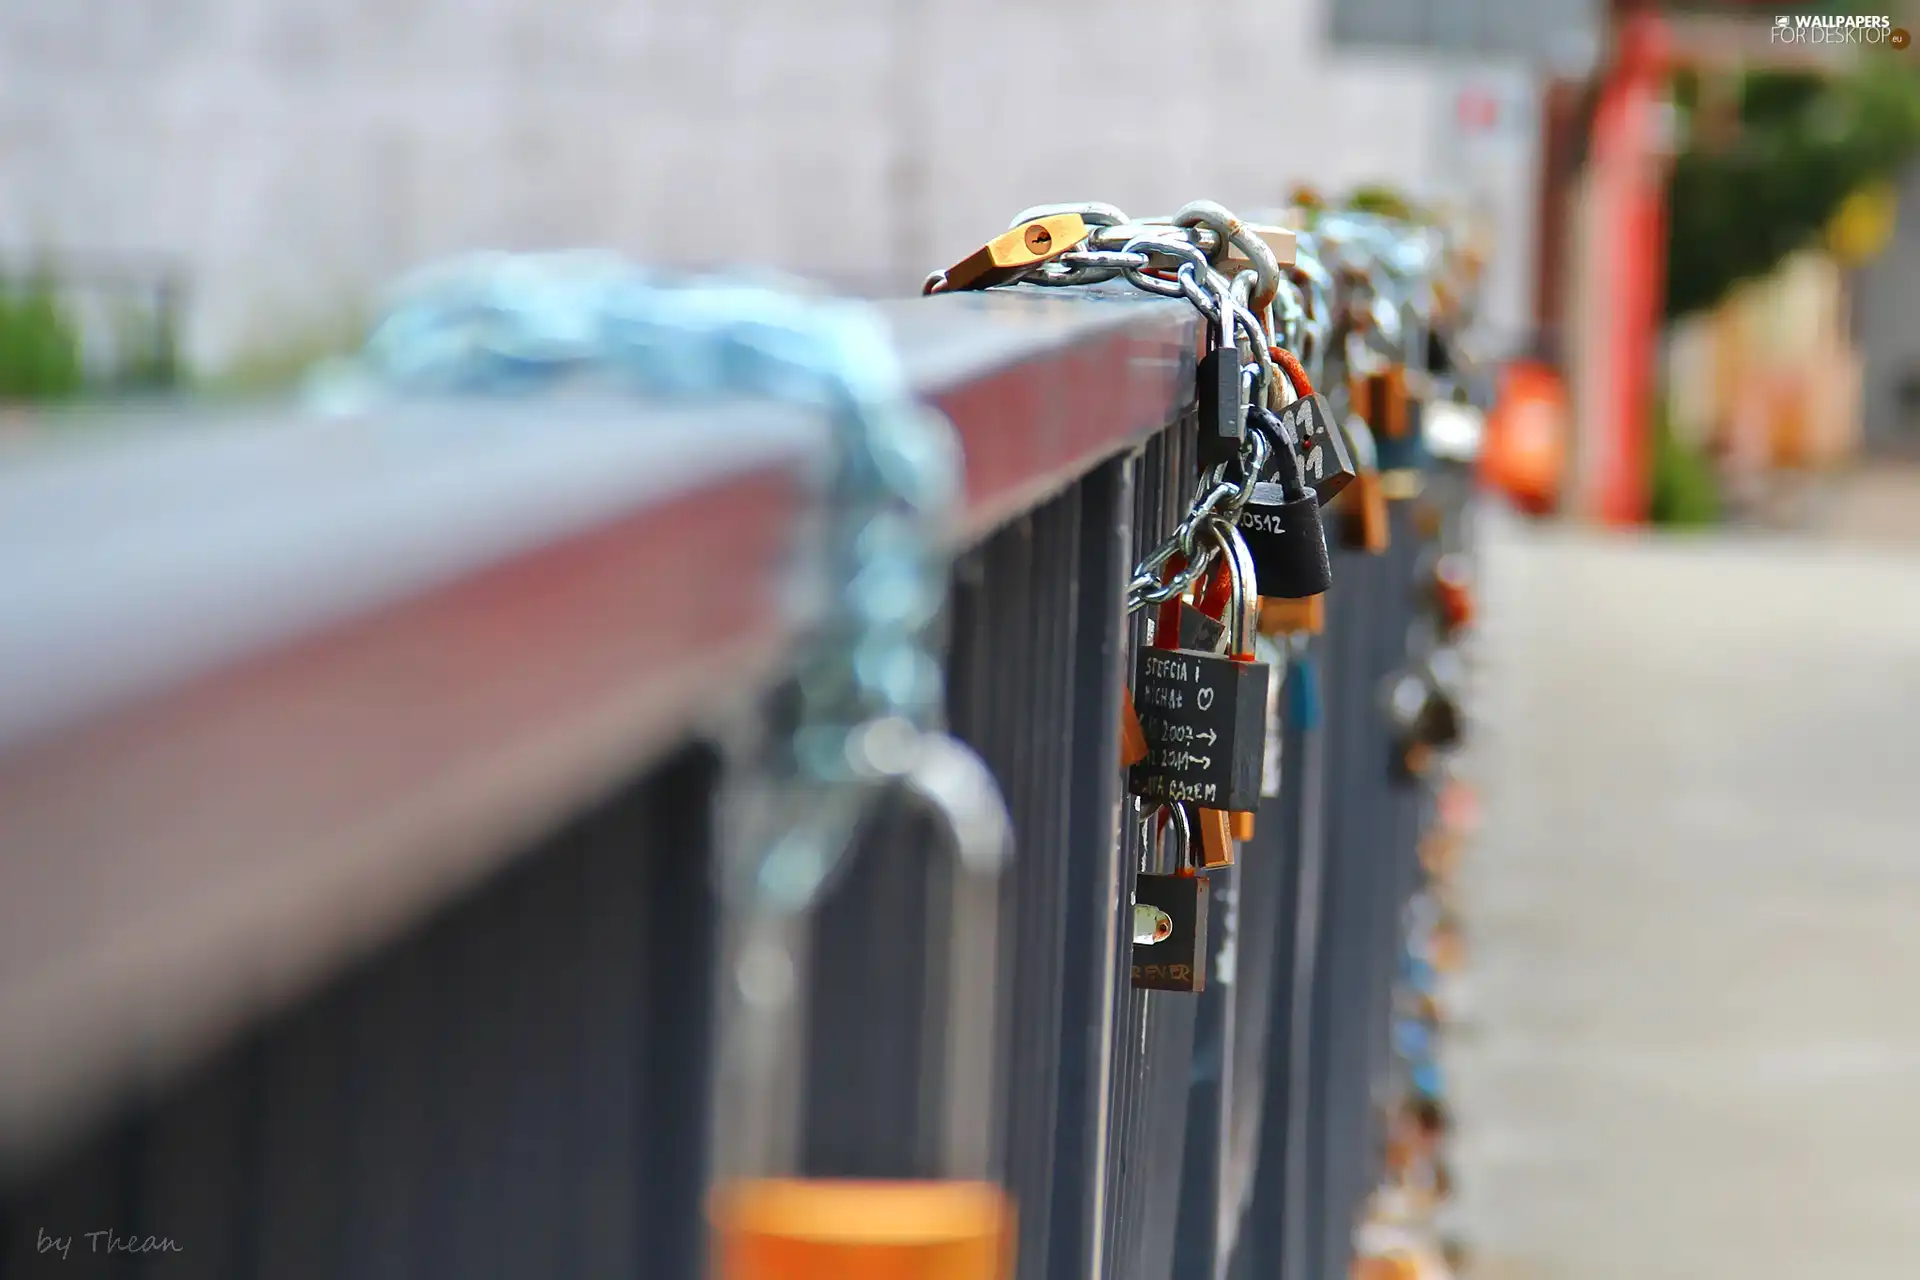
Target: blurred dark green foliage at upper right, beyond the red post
[1806, 143]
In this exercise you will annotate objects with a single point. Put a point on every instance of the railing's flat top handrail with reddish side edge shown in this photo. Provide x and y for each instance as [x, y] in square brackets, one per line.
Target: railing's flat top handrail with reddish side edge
[272, 690]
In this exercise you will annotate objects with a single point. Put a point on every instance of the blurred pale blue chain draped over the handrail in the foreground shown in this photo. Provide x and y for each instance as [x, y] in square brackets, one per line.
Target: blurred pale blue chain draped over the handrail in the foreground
[871, 684]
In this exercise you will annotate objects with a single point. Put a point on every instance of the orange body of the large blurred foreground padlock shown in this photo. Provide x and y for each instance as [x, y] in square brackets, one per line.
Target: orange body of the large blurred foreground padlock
[800, 1229]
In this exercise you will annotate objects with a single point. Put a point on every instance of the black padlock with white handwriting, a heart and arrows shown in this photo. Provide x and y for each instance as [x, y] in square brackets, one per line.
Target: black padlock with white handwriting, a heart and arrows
[1207, 715]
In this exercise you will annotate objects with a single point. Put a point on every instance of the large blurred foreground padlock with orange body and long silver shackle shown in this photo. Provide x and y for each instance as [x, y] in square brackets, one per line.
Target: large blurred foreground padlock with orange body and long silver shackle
[961, 1225]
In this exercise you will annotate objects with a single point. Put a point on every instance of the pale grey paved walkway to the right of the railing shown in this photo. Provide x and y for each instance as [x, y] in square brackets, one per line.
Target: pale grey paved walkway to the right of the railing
[1694, 1028]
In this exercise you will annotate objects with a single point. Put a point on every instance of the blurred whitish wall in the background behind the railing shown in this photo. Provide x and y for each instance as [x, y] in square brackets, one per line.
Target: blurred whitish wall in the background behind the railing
[295, 154]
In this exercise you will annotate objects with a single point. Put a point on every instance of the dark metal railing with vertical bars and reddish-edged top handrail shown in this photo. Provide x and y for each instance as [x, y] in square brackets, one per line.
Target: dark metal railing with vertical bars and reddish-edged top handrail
[356, 797]
